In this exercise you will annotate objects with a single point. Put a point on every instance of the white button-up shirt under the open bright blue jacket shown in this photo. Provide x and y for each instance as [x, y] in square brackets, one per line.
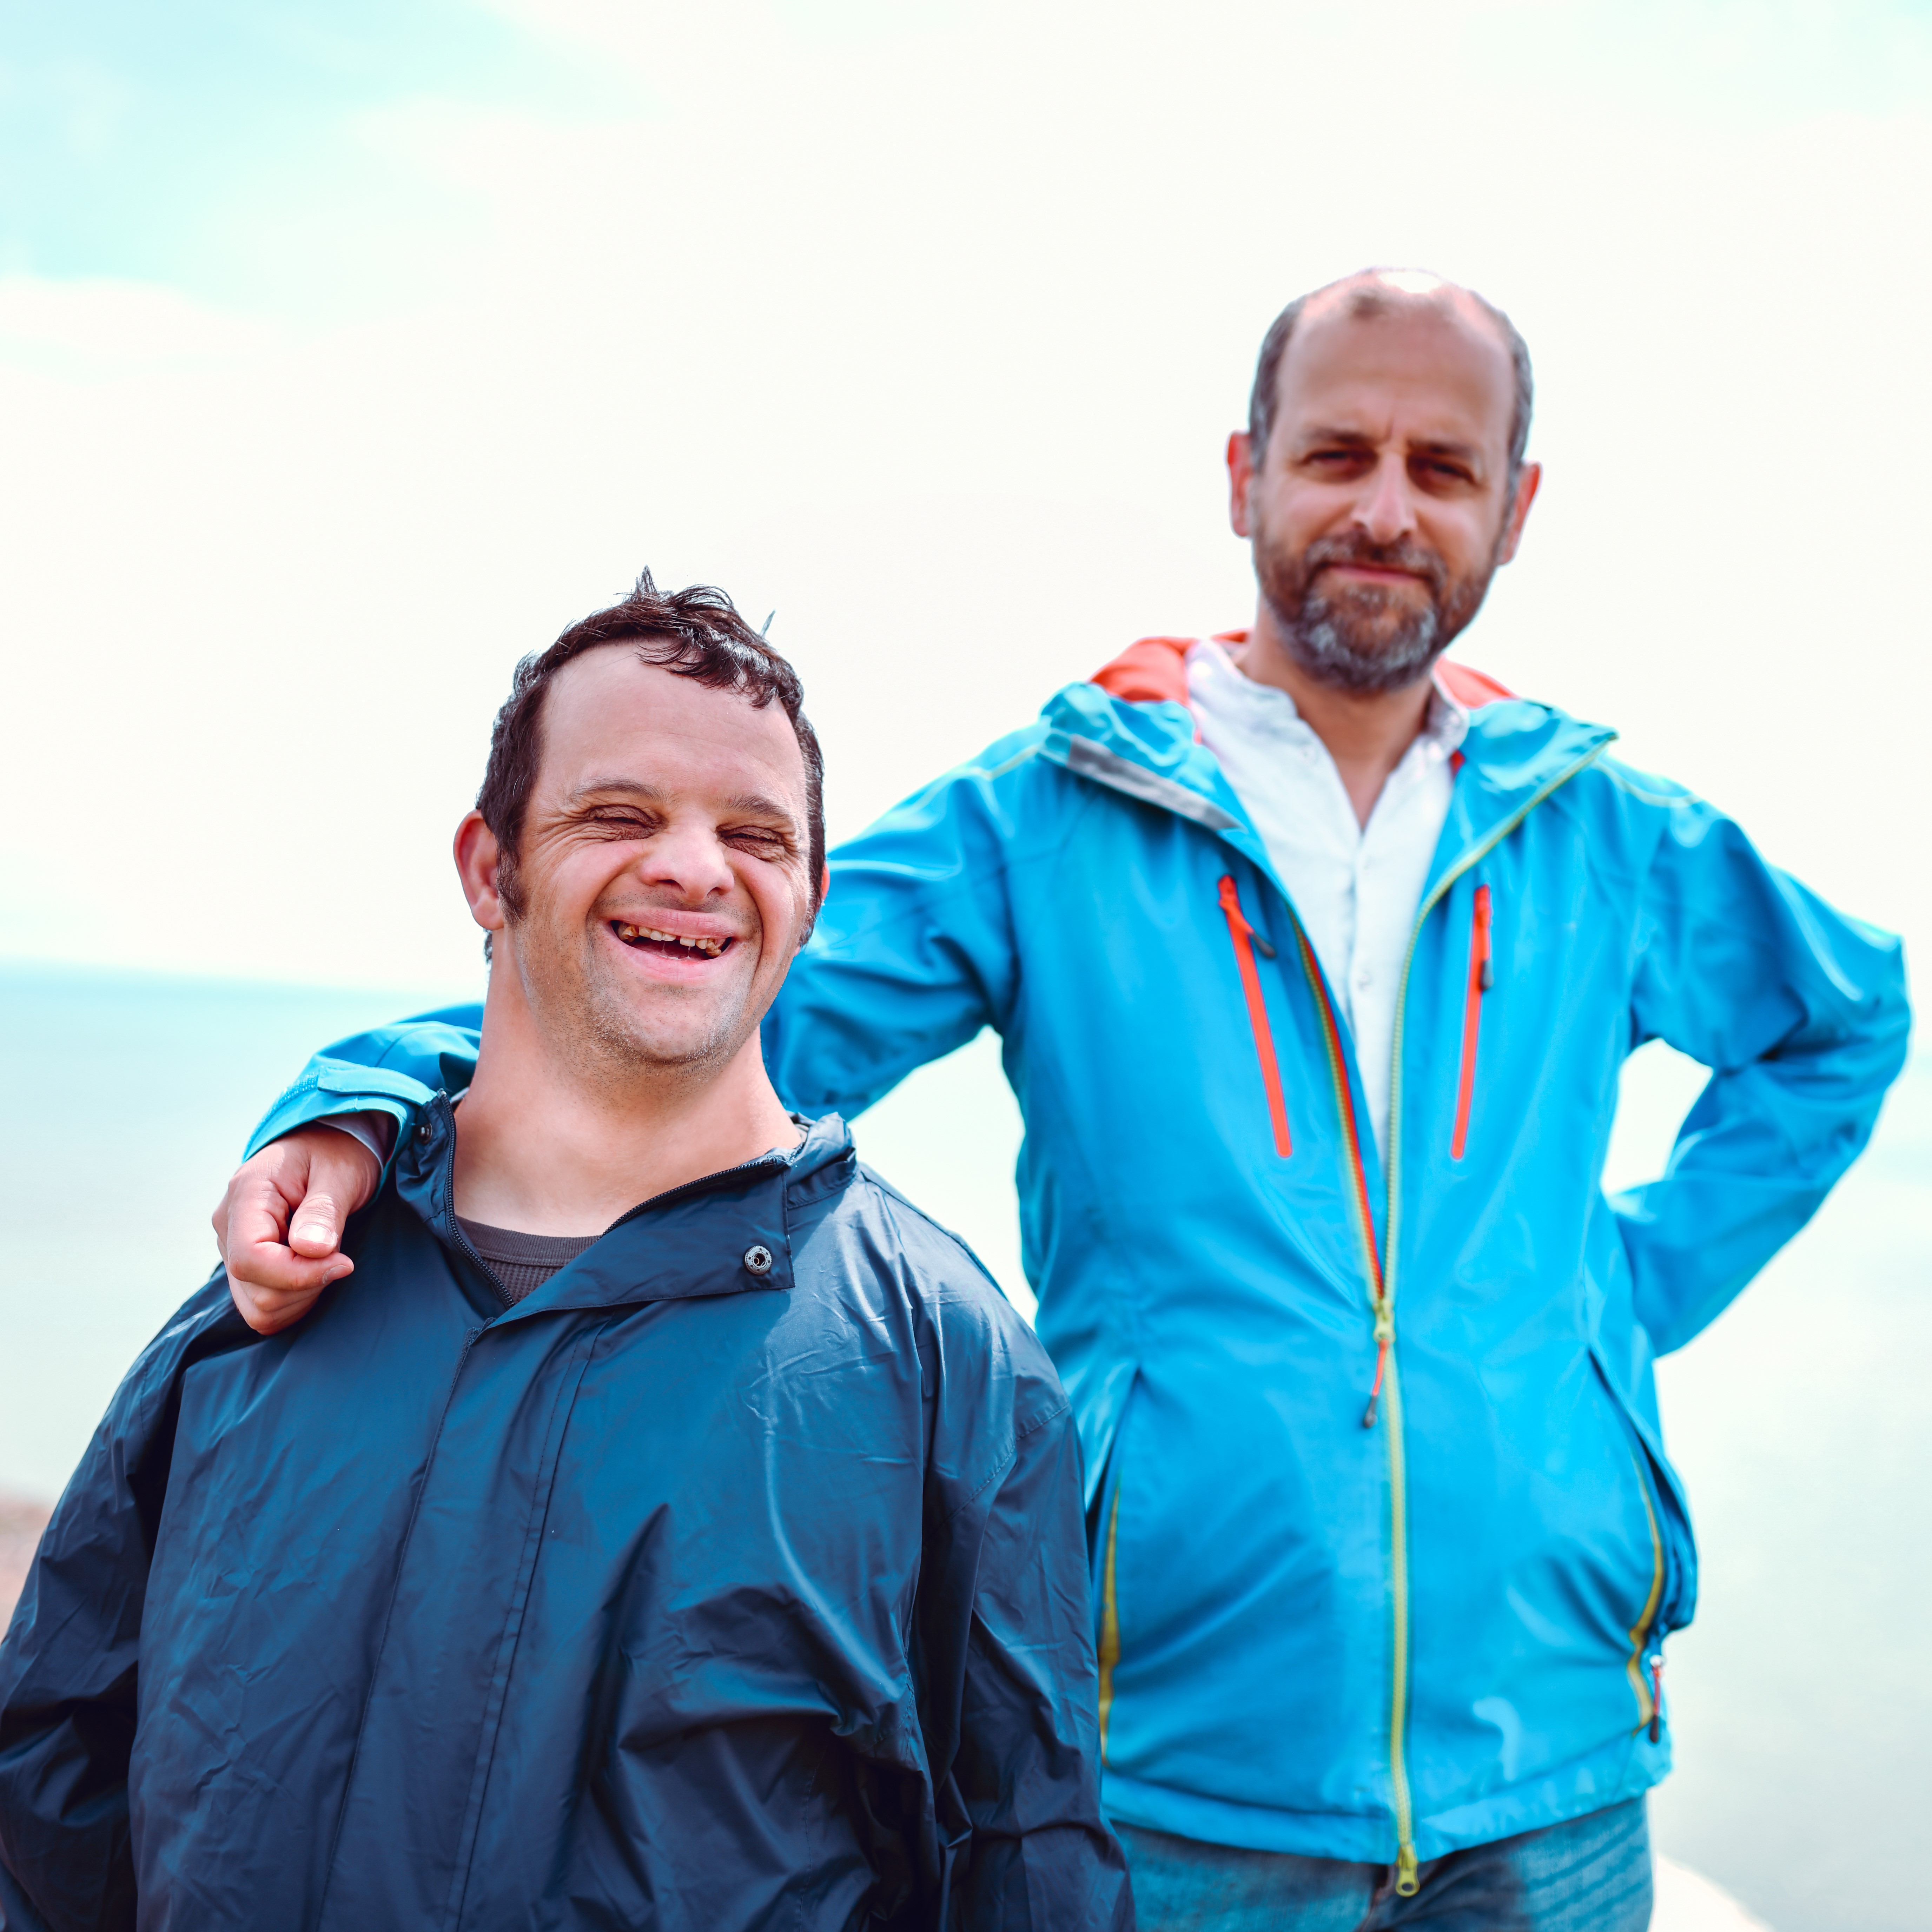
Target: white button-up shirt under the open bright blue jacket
[1357, 888]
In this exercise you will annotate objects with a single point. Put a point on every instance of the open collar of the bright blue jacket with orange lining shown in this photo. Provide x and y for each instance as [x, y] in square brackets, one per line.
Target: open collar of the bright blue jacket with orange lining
[1131, 731]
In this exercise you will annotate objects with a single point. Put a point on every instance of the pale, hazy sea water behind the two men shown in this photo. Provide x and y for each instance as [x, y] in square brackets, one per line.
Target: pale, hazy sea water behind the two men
[1802, 1699]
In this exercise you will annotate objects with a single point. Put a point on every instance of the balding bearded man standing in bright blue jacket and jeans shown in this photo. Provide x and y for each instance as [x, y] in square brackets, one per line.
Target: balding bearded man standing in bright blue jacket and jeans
[1317, 959]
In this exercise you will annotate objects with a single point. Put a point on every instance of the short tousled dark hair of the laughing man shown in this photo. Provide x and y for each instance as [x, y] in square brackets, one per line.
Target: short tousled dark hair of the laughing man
[695, 635]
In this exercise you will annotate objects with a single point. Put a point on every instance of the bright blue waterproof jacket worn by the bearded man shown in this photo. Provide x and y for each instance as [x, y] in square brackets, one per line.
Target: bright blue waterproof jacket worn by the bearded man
[1208, 1299]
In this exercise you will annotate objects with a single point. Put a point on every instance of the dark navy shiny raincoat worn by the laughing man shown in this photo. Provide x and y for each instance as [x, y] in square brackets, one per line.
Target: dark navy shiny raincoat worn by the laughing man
[675, 1597]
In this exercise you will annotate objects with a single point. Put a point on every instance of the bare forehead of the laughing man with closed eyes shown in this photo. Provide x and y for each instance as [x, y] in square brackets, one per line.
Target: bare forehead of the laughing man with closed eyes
[608, 716]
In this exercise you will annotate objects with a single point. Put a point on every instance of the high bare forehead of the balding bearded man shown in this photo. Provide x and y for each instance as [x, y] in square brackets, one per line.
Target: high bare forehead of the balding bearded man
[1433, 370]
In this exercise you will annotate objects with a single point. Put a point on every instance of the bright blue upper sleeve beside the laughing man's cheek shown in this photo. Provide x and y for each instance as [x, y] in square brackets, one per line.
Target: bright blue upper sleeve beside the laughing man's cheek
[915, 950]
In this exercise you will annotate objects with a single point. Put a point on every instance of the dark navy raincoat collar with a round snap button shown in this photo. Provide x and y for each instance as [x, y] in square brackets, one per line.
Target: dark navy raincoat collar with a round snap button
[727, 1234]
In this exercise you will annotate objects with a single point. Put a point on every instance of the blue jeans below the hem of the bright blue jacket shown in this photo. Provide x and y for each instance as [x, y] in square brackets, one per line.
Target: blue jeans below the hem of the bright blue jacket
[1591, 1875]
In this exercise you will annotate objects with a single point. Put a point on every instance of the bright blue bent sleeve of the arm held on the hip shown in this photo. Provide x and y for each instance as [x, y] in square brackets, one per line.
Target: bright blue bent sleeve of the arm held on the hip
[1804, 1021]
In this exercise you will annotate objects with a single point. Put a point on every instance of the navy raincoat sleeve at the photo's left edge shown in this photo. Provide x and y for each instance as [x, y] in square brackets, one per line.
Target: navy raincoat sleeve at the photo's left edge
[69, 1666]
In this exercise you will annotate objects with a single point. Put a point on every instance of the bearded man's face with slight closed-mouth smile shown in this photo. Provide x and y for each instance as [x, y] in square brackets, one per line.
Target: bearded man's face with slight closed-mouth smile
[1382, 505]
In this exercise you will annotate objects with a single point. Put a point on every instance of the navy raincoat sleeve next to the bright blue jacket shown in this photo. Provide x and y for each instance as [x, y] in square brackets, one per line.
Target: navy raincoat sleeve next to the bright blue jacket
[1011, 1719]
